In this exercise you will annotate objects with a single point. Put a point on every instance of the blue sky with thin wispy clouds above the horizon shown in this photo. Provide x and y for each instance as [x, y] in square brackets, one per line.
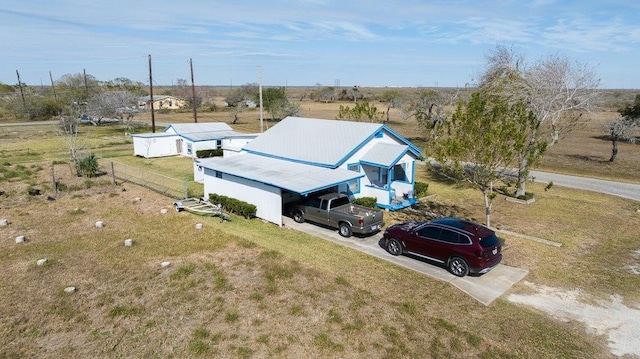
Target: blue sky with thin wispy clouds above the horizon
[309, 42]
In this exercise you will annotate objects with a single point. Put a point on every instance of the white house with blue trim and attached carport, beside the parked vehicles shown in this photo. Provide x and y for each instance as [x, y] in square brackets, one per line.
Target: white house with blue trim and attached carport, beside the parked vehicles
[301, 157]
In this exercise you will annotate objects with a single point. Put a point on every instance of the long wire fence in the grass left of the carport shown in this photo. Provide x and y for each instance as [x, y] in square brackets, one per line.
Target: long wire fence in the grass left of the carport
[170, 187]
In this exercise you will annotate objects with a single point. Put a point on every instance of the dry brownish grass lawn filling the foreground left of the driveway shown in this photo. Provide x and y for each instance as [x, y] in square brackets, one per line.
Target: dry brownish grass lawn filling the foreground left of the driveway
[233, 289]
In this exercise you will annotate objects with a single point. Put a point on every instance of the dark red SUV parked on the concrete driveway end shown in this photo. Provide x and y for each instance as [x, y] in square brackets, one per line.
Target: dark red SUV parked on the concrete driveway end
[462, 246]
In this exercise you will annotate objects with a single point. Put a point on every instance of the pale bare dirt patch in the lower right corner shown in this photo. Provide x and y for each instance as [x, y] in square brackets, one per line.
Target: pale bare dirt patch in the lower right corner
[610, 317]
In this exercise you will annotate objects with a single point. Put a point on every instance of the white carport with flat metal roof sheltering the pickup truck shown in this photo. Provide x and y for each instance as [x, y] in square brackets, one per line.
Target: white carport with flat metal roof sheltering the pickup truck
[270, 183]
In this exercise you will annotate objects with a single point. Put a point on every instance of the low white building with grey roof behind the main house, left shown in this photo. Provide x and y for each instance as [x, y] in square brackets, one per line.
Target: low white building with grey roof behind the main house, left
[187, 139]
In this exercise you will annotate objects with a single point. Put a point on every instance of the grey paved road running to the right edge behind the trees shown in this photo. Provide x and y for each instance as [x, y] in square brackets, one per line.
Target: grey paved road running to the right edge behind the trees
[625, 190]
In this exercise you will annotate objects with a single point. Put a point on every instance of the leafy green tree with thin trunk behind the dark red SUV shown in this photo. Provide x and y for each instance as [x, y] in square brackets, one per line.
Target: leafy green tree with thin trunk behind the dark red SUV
[481, 142]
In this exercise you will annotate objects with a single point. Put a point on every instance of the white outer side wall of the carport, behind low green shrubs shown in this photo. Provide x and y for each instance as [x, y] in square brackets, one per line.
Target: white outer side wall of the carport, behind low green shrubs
[267, 199]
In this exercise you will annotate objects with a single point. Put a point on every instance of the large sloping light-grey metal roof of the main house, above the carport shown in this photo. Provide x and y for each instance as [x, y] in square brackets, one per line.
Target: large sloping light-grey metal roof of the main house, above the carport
[319, 142]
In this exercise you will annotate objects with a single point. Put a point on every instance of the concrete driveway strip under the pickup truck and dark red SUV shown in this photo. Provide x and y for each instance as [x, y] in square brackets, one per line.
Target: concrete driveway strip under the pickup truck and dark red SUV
[484, 288]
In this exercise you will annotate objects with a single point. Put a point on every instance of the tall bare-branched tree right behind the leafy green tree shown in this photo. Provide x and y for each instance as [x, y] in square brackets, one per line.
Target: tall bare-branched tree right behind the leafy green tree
[558, 91]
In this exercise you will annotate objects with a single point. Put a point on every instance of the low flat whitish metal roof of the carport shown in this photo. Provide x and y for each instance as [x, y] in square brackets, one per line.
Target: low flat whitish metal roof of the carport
[292, 176]
